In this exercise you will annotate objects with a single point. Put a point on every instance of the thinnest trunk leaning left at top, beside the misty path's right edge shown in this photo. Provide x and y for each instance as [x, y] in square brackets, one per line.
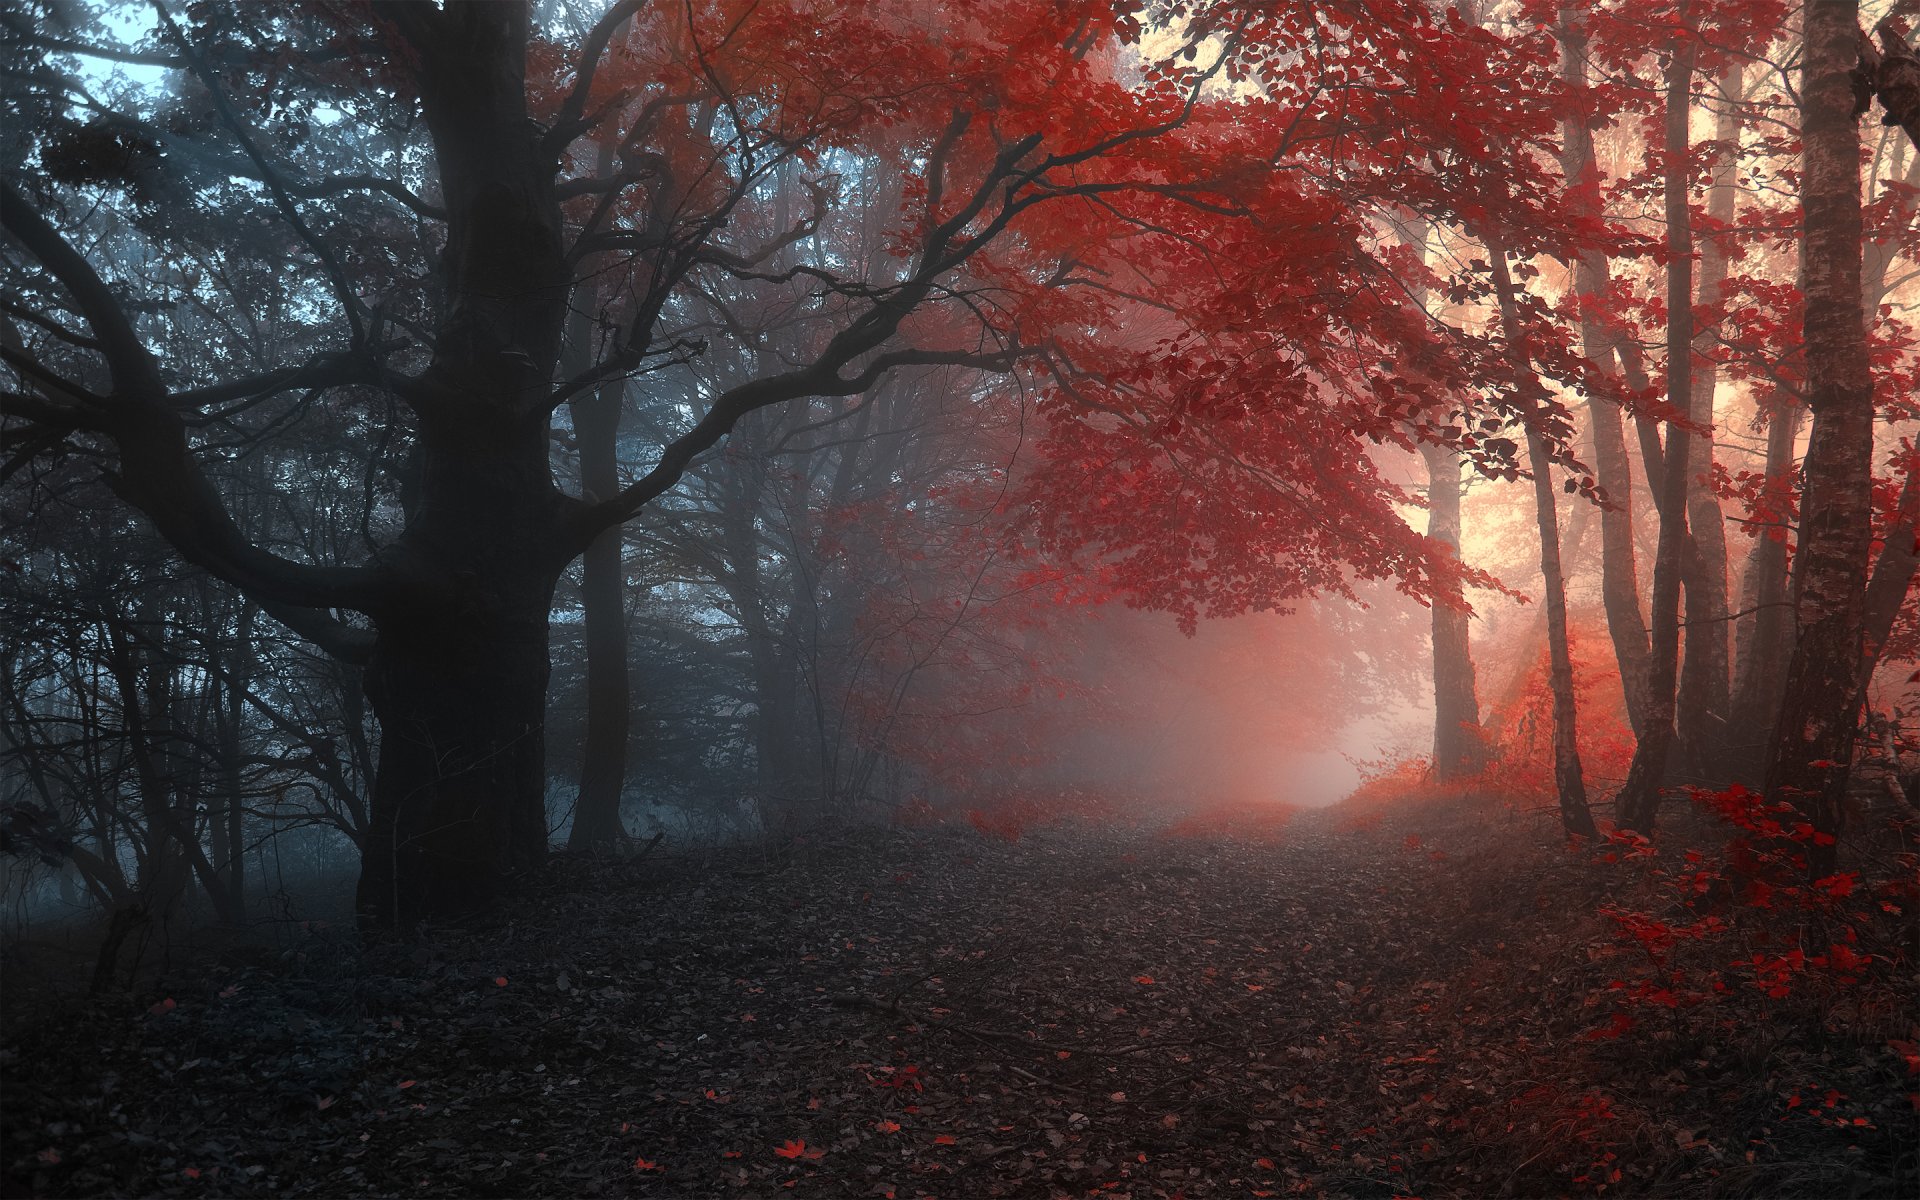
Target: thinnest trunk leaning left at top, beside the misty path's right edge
[1570, 779]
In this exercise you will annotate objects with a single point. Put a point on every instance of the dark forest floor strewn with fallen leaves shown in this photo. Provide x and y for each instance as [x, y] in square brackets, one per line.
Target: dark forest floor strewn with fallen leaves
[1345, 1003]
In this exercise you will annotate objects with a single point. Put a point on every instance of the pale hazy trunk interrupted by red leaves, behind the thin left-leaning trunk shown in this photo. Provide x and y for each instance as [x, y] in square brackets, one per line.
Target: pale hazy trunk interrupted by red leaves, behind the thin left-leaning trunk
[1620, 581]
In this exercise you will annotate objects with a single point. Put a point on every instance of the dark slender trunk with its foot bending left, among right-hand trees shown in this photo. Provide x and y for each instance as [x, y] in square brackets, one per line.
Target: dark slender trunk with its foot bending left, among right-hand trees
[1641, 796]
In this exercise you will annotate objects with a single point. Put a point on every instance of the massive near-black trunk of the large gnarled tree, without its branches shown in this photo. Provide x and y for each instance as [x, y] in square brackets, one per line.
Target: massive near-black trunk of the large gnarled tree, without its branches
[458, 677]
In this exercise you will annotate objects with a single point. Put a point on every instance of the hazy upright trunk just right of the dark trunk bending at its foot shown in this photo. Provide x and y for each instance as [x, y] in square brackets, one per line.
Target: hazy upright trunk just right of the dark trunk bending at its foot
[1706, 688]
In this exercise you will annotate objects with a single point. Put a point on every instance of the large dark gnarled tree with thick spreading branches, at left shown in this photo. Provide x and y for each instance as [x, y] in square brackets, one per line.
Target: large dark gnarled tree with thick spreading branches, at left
[456, 606]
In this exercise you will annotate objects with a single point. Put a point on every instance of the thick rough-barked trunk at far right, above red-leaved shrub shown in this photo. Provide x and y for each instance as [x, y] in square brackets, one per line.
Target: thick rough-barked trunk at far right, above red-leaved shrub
[1817, 727]
